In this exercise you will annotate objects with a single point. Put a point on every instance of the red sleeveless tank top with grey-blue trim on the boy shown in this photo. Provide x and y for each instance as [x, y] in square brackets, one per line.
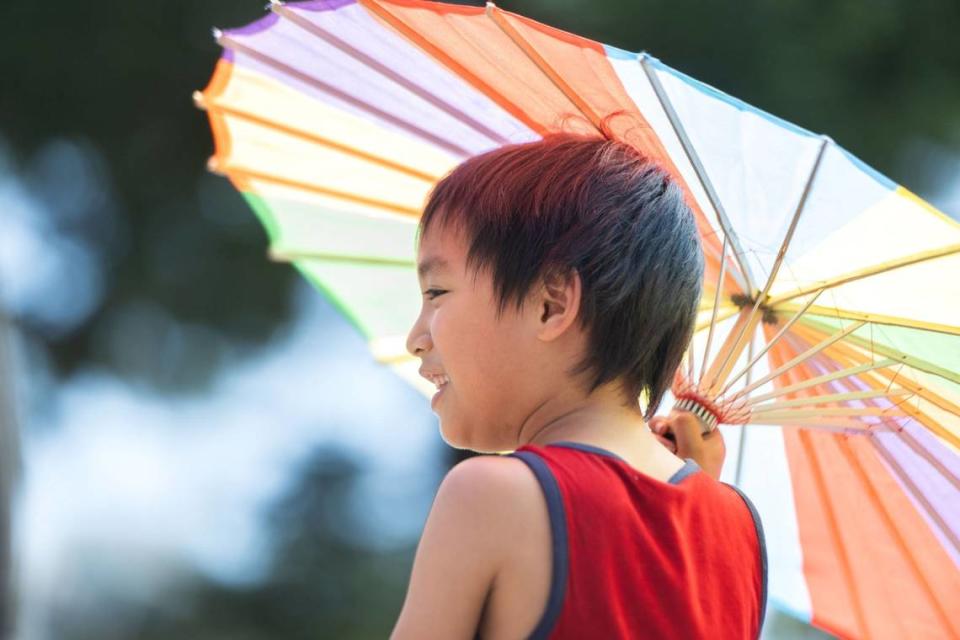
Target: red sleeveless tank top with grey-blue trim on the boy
[635, 557]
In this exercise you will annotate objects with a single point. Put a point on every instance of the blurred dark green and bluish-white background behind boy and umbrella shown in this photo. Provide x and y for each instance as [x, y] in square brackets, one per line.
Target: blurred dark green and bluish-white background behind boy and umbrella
[193, 444]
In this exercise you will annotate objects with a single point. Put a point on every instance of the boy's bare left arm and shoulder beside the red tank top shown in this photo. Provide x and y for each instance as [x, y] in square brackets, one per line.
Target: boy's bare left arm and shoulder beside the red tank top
[463, 546]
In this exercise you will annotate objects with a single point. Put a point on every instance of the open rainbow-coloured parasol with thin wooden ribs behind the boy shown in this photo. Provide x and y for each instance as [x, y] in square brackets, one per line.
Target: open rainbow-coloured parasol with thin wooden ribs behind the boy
[828, 340]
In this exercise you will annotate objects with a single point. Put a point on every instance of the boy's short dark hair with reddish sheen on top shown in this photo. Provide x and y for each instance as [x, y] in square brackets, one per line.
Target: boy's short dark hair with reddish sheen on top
[598, 206]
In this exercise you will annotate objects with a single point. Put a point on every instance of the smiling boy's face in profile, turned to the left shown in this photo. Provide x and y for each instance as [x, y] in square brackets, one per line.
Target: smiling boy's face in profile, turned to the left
[491, 364]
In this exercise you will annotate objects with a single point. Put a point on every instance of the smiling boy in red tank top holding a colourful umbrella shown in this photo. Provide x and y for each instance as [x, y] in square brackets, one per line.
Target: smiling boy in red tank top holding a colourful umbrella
[561, 280]
